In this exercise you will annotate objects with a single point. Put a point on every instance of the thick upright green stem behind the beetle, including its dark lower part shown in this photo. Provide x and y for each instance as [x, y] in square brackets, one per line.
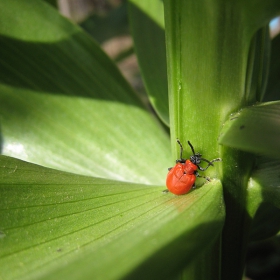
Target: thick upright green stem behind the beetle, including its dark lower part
[207, 58]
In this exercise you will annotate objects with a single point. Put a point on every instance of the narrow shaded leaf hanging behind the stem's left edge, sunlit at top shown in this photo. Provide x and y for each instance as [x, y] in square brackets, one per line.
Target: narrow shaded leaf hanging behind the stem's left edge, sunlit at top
[147, 27]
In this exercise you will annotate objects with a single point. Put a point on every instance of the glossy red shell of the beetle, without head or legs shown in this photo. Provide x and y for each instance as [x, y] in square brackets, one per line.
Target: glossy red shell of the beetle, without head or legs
[181, 177]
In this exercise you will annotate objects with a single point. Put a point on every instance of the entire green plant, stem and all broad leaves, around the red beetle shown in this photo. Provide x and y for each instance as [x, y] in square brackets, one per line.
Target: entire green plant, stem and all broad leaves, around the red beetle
[84, 161]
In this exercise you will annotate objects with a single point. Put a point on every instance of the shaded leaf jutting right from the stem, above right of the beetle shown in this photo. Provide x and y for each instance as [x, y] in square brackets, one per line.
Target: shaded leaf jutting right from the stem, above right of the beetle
[255, 129]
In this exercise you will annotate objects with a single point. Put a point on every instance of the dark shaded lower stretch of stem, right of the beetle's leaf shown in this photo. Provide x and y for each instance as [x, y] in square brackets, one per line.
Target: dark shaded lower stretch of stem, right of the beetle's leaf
[238, 222]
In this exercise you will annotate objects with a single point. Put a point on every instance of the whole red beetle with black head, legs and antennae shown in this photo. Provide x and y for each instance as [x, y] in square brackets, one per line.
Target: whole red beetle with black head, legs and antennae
[181, 178]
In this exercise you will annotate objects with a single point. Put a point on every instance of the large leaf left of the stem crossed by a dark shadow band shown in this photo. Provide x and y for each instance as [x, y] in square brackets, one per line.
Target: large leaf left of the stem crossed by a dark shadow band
[65, 105]
